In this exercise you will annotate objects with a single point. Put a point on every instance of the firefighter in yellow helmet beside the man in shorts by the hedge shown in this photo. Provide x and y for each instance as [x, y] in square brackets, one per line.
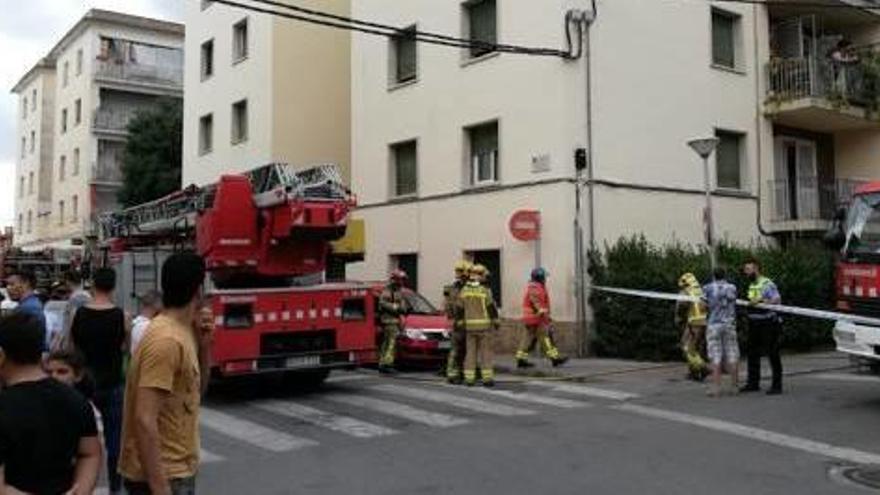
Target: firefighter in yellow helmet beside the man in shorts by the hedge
[692, 316]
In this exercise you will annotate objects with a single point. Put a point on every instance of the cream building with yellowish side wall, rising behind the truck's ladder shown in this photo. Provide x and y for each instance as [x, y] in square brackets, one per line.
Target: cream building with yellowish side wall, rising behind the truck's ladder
[262, 89]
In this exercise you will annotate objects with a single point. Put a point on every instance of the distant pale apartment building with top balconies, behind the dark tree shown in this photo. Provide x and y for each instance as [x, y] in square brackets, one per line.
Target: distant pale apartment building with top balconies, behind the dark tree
[105, 70]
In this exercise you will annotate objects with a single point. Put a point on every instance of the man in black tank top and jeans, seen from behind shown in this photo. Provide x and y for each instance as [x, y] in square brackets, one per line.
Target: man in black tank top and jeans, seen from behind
[99, 331]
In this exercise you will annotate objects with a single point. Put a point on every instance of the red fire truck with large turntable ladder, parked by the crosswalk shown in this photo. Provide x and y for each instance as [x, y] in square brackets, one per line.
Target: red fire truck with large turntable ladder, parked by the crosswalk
[265, 236]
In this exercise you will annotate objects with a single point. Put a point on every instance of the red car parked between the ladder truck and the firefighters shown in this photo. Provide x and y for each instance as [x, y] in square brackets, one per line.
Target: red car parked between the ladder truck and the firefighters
[425, 340]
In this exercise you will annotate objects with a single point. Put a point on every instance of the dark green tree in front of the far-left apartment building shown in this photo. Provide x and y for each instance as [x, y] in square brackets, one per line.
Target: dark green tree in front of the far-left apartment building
[152, 162]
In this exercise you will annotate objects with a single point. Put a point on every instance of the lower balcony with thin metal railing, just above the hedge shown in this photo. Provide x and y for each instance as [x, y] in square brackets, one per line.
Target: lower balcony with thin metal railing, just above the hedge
[807, 203]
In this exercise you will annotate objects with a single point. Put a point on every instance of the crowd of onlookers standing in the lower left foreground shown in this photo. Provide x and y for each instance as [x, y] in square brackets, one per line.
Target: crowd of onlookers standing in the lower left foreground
[89, 391]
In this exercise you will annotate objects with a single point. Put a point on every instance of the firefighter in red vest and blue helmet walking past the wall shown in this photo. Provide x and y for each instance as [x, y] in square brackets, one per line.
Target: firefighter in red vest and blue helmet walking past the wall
[536, 318]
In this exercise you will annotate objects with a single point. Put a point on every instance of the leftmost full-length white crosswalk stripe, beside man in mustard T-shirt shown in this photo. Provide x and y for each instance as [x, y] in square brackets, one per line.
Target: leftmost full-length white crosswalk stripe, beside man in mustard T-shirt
[251, 433]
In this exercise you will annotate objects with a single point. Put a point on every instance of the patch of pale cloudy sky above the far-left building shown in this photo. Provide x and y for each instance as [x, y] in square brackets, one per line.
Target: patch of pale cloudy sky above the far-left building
[27, 36]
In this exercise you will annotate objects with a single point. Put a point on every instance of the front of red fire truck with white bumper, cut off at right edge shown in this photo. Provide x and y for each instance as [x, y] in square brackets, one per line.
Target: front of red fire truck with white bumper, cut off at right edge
[856, 233]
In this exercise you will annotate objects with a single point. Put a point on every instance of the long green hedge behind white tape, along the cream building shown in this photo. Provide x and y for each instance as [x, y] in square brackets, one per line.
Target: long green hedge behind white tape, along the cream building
[640, 328]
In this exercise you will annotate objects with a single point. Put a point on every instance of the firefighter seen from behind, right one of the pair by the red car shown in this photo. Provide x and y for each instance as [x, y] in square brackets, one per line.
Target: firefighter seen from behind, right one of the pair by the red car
[477, 309]
